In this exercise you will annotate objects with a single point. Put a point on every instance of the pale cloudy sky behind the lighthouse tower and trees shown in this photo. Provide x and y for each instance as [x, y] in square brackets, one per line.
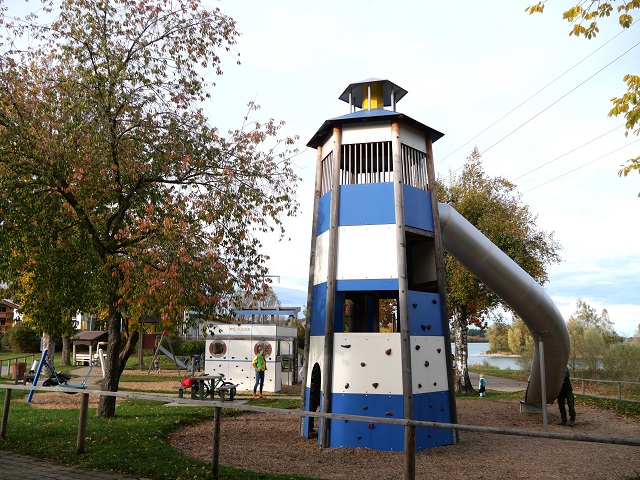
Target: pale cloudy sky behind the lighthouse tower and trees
[465, 66]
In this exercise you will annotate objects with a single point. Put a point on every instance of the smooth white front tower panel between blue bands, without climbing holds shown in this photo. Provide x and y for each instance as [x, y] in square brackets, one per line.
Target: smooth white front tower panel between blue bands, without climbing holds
[367, 252]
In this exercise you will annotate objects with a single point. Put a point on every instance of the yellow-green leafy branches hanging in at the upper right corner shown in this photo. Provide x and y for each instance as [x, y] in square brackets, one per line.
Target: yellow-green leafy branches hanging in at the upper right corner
[584, 18]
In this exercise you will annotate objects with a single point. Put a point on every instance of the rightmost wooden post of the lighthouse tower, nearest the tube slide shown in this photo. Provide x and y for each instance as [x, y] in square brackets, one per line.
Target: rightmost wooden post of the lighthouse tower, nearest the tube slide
[442, 286]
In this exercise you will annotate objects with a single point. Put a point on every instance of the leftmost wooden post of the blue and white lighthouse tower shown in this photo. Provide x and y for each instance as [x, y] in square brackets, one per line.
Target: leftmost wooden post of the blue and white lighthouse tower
[312, 265]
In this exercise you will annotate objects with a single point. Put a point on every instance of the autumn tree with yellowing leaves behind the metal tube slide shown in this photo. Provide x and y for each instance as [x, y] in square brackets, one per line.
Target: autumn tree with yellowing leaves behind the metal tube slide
[494, 207]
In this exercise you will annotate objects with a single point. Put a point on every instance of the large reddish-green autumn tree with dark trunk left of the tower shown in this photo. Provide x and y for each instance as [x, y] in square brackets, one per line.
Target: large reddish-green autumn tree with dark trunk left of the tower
[102, 134]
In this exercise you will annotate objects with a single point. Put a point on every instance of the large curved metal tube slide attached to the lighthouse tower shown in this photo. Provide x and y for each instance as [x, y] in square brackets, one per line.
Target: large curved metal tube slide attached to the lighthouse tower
[521, 292]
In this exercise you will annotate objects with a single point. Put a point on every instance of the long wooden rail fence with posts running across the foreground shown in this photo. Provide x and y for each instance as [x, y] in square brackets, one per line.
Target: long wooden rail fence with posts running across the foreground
[218, 405]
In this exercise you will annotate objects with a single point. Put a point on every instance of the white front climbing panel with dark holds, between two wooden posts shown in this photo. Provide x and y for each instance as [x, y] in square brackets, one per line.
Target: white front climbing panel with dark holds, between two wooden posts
[370, 350]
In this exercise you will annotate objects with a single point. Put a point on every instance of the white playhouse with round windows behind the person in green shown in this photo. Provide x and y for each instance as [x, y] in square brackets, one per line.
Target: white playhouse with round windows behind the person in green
[233, 347]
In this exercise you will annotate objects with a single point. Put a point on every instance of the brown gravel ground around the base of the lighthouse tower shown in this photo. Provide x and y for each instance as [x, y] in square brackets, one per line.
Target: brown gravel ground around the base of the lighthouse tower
[270, 443]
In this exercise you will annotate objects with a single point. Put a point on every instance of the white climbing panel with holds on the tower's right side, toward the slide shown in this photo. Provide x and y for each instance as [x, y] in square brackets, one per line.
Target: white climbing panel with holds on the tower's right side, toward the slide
[433, 378]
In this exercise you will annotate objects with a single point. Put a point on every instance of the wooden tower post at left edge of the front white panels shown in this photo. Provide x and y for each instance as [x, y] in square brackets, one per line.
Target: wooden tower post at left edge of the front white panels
[332, 266]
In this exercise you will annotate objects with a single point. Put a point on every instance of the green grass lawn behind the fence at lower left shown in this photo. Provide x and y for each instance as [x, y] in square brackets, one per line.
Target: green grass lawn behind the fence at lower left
[133, 443]
